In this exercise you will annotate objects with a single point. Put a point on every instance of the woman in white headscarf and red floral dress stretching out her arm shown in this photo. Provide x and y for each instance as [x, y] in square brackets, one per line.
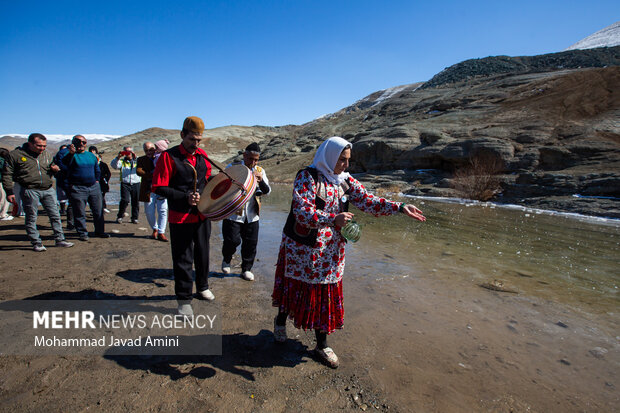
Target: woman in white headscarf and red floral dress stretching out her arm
[308, 279]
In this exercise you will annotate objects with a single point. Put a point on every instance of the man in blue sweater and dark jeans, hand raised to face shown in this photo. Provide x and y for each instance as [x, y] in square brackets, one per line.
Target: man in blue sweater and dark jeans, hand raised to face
[82, 169]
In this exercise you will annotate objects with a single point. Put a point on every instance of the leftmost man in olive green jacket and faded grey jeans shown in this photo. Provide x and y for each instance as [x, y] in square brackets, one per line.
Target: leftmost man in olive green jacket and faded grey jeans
[32, 167]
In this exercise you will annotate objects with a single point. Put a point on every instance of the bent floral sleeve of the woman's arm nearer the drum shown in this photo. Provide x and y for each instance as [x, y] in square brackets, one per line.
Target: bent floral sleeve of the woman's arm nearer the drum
[304, 208]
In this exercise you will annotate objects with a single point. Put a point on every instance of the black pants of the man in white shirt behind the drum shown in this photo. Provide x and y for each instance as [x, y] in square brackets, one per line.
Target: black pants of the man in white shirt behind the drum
[234, 233]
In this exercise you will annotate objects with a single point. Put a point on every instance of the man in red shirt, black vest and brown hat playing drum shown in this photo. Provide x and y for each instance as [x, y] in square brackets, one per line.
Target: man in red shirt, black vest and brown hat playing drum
[180, 176]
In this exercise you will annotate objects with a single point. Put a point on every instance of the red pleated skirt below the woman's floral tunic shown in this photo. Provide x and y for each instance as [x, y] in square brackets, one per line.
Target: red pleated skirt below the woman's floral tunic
[310, 306]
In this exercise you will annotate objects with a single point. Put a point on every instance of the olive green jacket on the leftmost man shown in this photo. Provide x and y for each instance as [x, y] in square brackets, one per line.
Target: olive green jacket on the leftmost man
[27, 169]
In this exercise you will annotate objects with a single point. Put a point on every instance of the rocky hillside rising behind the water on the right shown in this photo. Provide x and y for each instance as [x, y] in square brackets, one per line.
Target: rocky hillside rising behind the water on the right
[550, 121]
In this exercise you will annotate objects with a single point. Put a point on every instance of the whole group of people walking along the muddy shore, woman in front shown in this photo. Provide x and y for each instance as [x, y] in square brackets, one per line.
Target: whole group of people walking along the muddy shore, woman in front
[310, 266]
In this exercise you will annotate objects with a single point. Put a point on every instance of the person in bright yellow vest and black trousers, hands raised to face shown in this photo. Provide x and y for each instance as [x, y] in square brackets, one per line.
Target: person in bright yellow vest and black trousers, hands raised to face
[130, 183]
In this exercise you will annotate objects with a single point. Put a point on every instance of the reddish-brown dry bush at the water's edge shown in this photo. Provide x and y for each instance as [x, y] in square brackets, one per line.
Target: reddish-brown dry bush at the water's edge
[479, 179]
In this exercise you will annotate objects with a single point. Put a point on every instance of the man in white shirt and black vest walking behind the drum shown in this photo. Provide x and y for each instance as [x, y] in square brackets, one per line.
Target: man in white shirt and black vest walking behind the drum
[242, 227]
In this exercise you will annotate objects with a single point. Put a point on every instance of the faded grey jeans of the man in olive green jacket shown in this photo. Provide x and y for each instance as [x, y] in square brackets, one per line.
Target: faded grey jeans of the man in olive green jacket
[30, 202]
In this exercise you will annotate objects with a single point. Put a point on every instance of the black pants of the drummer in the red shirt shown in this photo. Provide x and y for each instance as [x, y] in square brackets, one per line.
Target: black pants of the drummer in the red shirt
[190, 245]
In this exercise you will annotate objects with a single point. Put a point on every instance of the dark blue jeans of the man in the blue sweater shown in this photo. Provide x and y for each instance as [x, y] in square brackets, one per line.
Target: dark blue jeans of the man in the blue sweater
[79, 196]
